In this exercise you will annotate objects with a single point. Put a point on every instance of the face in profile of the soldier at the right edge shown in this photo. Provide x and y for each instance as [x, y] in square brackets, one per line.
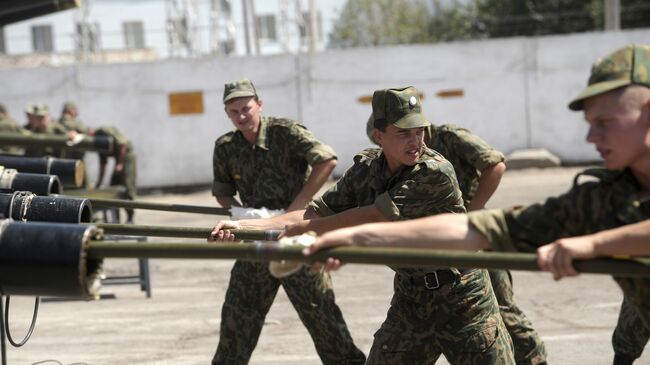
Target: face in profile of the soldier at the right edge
[619, 127]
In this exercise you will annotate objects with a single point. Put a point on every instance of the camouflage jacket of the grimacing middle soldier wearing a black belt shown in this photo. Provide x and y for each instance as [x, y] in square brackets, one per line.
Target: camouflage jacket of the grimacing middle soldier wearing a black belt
[429, 187]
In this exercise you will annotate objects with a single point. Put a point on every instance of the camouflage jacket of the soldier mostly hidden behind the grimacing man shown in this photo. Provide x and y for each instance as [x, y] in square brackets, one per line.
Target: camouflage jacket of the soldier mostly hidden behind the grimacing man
[468, 153]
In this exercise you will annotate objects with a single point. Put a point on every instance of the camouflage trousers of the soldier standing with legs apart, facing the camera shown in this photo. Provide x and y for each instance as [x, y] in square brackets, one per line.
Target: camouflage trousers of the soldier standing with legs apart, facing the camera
[251, 292]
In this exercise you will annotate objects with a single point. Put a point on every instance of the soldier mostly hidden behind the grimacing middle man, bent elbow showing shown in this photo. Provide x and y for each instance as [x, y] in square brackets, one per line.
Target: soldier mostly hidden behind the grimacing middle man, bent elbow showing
[479, 169]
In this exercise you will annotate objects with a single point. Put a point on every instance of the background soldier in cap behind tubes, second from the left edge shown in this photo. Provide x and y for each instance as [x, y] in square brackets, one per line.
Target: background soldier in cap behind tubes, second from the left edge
[38, 121]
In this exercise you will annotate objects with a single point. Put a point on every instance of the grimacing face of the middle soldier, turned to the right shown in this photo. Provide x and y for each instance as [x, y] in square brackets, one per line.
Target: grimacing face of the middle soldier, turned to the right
[402, 147]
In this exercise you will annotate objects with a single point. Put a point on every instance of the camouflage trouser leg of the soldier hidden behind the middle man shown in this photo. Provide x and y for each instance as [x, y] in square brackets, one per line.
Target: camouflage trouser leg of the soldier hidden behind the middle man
[529, 347]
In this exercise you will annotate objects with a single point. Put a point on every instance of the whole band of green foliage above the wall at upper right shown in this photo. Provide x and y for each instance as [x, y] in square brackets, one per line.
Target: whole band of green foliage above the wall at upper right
[382, 22]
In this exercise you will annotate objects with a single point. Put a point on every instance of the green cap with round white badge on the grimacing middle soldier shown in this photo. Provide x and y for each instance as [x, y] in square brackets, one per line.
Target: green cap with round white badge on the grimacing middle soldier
[399, 107]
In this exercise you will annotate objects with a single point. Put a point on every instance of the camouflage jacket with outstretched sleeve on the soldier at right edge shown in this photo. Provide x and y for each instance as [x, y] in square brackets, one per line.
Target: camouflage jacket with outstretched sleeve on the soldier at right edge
[612, 200]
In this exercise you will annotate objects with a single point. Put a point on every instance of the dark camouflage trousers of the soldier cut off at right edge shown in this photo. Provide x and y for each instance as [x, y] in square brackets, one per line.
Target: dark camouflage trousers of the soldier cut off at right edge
[633, 327]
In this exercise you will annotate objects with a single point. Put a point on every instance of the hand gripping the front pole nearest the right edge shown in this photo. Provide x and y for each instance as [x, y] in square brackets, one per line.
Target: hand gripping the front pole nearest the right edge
[557, 257]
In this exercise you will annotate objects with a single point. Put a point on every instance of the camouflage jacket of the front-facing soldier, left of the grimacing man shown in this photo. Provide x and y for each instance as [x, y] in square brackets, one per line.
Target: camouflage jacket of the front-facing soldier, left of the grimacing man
[271, 172]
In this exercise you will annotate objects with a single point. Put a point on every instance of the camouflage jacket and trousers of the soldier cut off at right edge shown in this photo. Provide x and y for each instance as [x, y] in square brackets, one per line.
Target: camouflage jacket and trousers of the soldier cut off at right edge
[609, 202]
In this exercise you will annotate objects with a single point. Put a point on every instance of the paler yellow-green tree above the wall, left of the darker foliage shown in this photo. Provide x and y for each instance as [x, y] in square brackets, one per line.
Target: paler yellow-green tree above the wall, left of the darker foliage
[364, 23]
